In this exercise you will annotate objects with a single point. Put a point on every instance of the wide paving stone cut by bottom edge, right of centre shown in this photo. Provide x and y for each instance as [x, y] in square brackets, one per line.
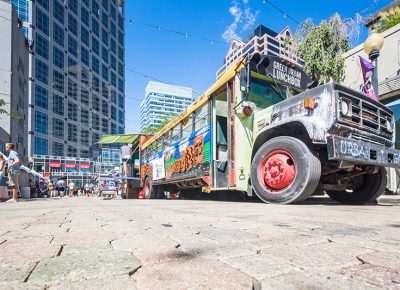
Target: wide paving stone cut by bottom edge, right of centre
[305, 280]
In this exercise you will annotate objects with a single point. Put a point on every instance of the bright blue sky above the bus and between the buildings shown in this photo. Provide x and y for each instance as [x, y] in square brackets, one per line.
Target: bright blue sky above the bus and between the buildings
[191, 62]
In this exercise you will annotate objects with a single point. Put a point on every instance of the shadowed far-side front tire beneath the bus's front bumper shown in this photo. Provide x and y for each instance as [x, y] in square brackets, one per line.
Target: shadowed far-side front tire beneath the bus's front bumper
[368, 188]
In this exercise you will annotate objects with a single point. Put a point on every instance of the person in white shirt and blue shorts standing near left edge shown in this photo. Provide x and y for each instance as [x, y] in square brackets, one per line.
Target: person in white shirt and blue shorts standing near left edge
[14, 167]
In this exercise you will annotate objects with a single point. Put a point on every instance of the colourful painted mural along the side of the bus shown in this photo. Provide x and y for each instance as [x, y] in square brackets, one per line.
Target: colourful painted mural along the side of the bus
[190, 157]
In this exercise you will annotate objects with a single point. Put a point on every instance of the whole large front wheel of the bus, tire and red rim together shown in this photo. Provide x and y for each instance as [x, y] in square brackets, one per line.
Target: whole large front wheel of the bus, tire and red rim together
[284, 170]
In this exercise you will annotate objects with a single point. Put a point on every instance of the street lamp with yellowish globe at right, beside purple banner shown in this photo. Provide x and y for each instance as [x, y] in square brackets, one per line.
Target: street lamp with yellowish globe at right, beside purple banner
[372, 46]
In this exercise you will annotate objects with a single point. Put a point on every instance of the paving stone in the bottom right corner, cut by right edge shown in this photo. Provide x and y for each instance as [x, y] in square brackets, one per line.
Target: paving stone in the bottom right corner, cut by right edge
[376, 275]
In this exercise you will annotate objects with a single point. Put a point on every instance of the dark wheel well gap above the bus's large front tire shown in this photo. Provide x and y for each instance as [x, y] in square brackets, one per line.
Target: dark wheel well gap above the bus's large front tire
[294, 129]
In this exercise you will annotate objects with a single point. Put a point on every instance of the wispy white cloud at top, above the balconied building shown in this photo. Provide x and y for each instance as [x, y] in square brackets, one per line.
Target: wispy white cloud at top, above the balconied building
[243, 19]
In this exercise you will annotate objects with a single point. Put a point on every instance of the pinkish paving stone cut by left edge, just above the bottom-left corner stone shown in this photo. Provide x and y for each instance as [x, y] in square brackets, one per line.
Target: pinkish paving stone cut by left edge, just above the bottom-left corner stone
[27, 250]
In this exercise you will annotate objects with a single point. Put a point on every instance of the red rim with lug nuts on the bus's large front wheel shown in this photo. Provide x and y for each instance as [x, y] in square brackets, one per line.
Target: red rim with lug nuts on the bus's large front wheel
[277, 170]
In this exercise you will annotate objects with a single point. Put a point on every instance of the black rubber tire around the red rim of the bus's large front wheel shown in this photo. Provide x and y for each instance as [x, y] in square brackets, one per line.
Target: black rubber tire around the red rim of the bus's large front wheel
[306, 177]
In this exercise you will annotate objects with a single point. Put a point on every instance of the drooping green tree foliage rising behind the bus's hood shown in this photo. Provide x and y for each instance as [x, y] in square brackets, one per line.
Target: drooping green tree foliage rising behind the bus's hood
[322, 47]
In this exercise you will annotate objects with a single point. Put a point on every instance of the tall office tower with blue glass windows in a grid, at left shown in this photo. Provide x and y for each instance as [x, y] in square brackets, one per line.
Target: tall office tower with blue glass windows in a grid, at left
[77, 73]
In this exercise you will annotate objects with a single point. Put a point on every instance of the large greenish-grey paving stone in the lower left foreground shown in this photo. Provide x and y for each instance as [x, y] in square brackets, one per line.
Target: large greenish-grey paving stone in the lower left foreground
[83, 266]
